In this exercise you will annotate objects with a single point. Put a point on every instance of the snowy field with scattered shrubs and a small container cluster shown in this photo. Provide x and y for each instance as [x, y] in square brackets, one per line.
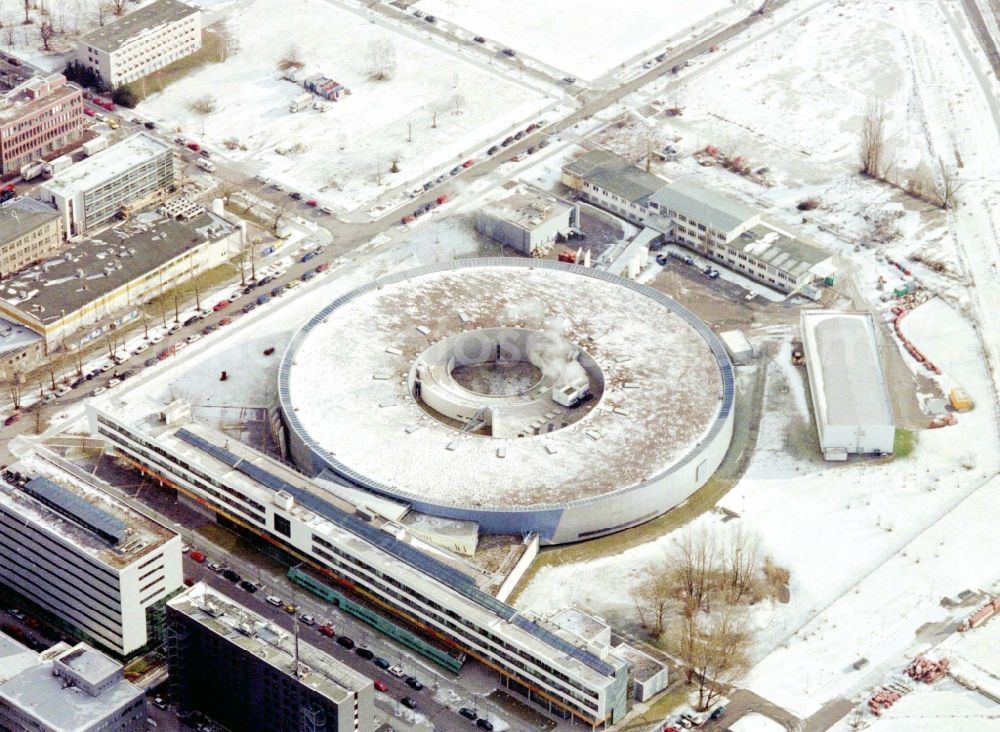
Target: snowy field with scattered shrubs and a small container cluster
[339, 155]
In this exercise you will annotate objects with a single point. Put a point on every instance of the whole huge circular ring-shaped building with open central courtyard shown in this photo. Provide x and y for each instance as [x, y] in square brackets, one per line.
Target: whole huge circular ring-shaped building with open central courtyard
[525, 395]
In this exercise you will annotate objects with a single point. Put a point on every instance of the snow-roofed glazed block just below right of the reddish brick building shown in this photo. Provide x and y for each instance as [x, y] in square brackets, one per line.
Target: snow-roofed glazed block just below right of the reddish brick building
[124, 176]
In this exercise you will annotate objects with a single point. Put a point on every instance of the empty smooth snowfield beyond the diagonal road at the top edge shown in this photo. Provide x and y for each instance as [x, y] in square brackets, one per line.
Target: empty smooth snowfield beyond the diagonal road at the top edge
[584, 37]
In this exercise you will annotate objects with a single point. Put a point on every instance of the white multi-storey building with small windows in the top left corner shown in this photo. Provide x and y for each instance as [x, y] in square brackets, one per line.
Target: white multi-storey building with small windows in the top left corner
[142, 42]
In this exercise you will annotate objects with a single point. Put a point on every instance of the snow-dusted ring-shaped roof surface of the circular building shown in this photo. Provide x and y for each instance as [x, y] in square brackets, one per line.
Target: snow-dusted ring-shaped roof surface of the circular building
[344, 384]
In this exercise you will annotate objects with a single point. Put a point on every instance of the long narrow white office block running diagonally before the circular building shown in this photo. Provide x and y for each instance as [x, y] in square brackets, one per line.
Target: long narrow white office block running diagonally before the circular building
[567, 678]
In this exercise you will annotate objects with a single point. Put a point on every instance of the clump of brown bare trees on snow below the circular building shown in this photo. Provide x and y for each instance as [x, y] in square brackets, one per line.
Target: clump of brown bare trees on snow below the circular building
[695, 599]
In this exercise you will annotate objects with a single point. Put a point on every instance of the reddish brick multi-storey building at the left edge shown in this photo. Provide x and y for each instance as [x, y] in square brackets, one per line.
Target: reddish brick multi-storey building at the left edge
[38, 117]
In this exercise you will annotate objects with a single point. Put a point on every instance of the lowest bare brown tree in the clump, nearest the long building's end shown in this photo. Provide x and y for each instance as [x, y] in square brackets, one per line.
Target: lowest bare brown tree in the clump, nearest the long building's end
[714, 650]
